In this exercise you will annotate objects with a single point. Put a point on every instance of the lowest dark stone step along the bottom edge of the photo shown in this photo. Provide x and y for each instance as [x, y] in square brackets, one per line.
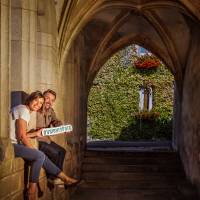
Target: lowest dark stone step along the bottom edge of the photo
[180, 191]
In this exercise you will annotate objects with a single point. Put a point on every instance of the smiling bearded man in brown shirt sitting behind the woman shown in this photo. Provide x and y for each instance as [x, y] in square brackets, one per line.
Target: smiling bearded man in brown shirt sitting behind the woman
[45, 119]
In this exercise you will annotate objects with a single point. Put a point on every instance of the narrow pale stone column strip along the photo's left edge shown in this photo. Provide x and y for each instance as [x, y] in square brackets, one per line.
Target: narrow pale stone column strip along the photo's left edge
[5, 145]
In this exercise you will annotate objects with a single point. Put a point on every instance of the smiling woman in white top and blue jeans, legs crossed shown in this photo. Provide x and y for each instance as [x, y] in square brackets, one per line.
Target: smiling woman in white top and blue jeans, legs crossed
[20, 117]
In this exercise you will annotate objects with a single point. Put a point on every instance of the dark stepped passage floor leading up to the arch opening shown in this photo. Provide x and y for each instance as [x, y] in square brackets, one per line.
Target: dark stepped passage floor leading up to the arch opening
[147, 172]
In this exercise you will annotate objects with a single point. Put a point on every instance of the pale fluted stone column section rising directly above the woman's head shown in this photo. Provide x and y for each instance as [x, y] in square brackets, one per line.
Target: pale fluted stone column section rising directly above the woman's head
[23, 44]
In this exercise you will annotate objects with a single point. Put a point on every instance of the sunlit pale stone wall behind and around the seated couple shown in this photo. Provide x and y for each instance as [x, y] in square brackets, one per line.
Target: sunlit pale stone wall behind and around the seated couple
[29, 61]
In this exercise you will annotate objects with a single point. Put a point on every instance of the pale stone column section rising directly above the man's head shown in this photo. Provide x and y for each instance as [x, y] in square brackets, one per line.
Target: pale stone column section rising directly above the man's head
[46, 68]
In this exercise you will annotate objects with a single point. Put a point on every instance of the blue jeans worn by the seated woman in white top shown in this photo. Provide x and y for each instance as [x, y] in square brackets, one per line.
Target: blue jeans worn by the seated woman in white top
[38, 160]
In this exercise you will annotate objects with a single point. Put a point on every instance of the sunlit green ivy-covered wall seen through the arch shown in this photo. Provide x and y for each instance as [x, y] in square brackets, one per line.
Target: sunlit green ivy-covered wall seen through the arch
[113, 103]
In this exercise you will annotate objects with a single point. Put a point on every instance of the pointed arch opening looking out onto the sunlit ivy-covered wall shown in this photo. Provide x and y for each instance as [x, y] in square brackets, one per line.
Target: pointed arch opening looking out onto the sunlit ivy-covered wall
[130, 104]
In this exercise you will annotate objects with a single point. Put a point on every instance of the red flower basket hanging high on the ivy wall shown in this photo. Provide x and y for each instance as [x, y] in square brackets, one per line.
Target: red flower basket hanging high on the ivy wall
[146, 62]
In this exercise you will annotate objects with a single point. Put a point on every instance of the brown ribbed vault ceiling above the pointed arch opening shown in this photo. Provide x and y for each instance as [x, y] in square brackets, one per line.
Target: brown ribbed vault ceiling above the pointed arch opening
[162, 26]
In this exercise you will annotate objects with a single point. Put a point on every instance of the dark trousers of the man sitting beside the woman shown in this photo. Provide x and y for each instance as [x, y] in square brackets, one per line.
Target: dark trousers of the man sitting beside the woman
[54, 152]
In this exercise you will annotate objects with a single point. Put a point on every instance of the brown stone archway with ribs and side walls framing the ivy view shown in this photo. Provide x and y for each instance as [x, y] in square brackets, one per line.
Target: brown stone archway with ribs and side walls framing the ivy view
[103, 28]
